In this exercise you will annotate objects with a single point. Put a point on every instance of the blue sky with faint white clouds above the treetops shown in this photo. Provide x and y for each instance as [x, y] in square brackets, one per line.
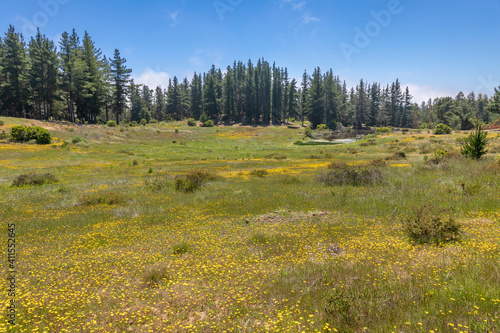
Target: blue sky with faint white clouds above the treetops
[437, 48]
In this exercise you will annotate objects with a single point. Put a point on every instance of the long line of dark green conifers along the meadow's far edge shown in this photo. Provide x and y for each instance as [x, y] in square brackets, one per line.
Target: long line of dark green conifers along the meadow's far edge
[74, 81]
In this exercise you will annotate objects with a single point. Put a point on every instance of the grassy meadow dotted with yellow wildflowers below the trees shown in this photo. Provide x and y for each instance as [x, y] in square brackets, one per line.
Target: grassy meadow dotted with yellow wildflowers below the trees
[170, 228]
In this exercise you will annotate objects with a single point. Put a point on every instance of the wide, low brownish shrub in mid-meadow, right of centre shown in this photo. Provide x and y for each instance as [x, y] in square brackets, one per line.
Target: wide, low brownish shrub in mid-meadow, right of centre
[354, 175]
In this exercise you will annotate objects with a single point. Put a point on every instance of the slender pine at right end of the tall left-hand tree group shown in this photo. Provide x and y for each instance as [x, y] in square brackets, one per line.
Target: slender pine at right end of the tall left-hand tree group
[120, 76]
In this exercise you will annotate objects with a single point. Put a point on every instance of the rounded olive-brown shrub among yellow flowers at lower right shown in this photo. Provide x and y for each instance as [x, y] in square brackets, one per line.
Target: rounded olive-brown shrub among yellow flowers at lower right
[426, 224]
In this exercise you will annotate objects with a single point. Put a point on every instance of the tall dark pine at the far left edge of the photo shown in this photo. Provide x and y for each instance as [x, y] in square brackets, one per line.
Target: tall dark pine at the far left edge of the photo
[15, 91]
